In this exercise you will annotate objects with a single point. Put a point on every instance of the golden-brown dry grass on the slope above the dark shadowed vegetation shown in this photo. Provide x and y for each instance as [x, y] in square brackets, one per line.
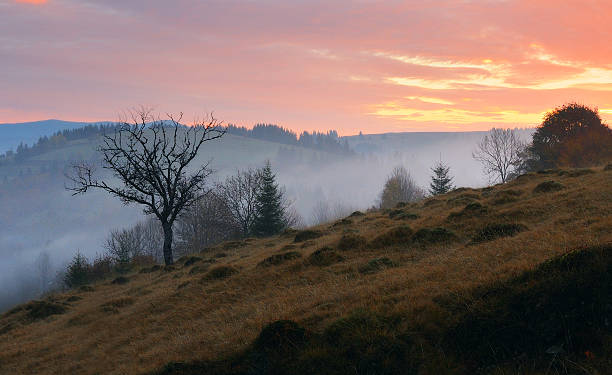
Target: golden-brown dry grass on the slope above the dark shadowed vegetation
[175, 314]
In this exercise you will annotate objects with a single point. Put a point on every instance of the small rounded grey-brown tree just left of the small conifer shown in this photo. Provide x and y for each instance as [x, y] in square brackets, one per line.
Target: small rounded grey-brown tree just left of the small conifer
[399, 187]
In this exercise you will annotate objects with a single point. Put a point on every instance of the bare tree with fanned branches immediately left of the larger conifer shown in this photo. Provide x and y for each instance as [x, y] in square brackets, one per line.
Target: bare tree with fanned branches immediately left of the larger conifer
[239, 193]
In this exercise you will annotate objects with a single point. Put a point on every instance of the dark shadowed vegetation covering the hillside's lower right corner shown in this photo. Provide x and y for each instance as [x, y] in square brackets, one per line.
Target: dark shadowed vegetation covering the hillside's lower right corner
[547, 319]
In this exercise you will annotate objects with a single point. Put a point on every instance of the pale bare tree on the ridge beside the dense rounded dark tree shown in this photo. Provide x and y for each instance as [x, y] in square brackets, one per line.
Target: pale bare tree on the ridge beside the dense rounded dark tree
[499, 152]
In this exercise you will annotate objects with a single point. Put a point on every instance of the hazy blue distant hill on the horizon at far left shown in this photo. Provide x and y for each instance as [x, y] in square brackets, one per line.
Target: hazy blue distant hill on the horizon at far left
[11, 135]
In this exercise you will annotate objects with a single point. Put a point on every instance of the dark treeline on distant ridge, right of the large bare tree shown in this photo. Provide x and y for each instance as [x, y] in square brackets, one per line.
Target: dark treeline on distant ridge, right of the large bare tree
[329, 141]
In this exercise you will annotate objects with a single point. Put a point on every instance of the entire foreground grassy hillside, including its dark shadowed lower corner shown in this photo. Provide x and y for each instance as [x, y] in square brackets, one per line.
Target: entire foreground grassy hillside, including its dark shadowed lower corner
[508, 279]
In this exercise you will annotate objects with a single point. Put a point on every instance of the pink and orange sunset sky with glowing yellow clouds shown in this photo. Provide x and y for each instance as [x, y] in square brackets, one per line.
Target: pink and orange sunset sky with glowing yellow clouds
[361, 65]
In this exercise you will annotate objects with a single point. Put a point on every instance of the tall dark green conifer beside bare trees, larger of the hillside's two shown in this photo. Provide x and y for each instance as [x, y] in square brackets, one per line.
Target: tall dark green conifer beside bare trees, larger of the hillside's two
[269, 208]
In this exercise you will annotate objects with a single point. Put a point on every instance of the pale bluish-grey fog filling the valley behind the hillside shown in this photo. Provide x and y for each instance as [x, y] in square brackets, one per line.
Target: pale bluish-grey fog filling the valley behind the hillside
[40, 217]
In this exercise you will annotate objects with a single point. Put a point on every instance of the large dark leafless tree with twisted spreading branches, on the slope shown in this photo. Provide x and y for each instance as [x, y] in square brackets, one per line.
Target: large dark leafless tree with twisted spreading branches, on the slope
[150, 157]
